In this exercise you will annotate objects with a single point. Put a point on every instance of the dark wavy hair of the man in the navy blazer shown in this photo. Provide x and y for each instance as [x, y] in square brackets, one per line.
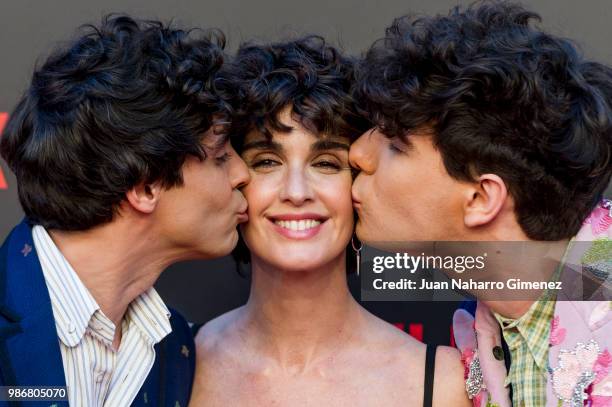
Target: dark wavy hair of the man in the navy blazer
[124, 103]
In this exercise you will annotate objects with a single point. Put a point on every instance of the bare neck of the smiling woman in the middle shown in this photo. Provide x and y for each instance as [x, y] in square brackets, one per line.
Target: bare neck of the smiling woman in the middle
[293, 316]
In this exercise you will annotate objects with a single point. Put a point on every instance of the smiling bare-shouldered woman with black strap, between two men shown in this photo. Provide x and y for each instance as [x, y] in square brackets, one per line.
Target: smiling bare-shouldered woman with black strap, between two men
[302, 339]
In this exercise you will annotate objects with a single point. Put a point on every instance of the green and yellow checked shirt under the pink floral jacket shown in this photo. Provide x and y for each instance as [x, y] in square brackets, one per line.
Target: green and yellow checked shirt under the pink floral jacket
[527, 338]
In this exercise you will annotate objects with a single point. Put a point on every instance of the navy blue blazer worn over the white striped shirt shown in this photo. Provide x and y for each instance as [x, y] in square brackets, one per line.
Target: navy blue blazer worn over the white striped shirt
[29, 346]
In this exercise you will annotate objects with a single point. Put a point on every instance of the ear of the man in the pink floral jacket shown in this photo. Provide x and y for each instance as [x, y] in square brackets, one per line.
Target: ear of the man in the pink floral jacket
[484, 200]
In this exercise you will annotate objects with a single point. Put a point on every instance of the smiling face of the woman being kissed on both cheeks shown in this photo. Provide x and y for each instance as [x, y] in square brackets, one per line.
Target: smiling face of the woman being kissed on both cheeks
[300, 207]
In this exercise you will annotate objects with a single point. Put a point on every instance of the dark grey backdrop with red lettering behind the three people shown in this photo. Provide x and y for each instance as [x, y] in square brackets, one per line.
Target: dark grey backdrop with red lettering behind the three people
[202, 290]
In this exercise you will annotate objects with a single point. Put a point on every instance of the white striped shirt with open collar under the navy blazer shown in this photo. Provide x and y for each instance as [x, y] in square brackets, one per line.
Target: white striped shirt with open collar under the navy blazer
[96, 374]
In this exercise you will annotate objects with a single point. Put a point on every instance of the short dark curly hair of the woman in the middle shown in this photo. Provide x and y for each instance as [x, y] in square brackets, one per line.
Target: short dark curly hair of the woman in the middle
[308, 74]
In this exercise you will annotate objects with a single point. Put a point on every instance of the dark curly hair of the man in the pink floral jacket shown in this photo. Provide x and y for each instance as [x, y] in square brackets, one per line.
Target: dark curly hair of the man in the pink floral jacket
[503, 97]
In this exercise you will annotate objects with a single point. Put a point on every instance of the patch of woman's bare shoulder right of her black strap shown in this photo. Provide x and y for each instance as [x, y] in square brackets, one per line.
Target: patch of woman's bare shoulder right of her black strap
[449, 385]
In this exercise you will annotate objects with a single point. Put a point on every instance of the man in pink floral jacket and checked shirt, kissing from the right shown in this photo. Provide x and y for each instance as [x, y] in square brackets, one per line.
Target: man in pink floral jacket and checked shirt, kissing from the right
[487, 128]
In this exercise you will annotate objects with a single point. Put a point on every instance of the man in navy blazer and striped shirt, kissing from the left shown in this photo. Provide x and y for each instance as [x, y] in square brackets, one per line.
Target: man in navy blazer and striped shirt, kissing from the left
[122, 170]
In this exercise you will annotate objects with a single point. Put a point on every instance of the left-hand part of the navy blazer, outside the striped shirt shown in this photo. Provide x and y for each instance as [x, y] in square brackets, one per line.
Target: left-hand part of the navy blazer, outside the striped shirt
[29, 346]
